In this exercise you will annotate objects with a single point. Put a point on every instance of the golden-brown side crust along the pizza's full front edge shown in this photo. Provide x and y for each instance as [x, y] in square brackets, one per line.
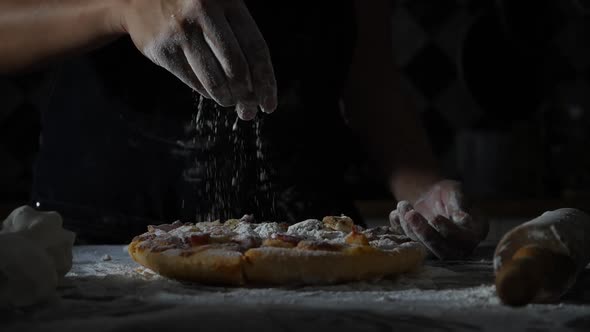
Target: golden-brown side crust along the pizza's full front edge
[255, 267]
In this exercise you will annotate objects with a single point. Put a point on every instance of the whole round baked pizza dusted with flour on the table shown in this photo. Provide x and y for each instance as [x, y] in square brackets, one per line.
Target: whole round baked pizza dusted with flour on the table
[242, 252]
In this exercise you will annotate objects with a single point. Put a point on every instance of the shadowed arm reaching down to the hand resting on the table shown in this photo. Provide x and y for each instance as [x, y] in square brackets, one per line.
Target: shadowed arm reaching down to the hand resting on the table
[382, 113]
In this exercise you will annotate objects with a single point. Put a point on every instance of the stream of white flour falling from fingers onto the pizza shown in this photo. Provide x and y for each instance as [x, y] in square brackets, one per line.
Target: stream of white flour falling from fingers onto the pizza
[232, 170]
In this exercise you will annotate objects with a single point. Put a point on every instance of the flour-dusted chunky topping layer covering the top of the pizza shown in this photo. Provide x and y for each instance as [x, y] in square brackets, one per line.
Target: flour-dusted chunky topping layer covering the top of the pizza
[331, 234]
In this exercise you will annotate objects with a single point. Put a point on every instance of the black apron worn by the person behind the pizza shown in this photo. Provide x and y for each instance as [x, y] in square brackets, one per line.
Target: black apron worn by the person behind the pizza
[121, 146]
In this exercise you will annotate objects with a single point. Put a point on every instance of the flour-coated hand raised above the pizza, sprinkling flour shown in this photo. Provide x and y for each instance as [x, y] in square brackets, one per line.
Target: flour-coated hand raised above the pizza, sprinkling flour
[213, 46]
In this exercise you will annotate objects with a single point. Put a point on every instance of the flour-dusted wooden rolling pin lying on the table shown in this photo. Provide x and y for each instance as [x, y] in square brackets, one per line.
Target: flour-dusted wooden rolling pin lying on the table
[538, 261]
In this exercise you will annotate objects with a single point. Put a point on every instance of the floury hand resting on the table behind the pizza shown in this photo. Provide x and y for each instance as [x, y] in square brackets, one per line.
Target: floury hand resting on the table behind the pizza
[439, 220]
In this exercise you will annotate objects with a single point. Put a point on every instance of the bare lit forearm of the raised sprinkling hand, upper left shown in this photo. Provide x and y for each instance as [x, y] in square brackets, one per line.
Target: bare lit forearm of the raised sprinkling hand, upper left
[36, 31]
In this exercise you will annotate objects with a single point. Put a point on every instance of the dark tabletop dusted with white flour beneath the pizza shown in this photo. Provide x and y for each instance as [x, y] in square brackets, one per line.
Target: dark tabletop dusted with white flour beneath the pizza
[107, 291]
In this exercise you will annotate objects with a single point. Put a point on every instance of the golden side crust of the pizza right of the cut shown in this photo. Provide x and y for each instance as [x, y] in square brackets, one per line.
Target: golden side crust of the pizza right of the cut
[277, 266]
